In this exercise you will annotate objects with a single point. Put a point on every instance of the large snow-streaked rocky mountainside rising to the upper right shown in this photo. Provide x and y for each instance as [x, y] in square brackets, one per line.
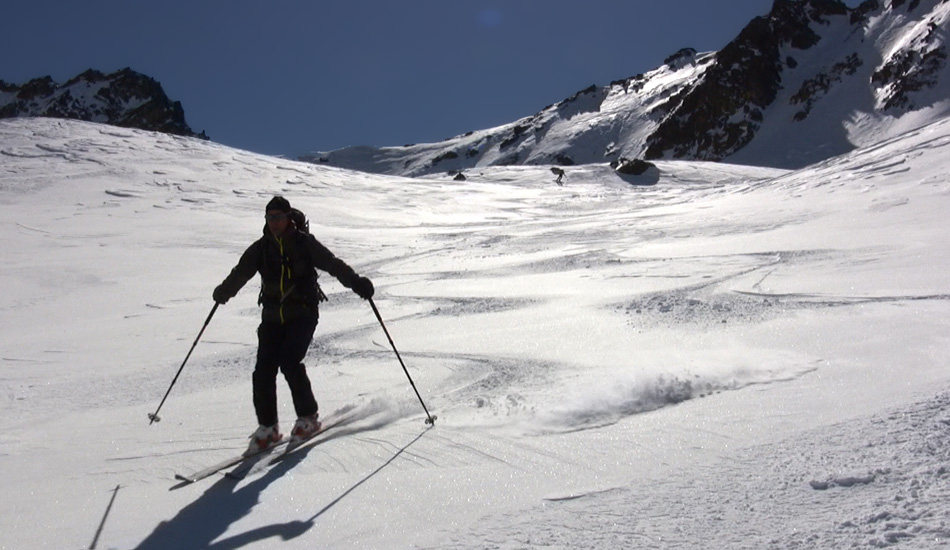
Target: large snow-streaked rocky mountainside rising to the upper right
[810, 80]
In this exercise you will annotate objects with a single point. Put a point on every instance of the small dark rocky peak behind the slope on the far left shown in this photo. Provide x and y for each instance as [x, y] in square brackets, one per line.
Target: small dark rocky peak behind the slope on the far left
[124, 98]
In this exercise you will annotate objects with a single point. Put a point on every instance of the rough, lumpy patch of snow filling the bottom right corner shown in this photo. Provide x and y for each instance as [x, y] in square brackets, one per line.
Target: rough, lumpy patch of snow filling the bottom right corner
[886, 483]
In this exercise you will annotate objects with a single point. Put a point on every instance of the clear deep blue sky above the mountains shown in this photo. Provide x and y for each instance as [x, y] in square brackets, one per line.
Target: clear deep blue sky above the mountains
[282, 77]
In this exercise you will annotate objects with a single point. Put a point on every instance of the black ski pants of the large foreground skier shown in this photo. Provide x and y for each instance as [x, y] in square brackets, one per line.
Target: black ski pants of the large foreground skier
[283, 347]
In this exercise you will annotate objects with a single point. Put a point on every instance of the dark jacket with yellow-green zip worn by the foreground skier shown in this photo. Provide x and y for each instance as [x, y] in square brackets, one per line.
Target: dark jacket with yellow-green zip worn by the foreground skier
[289, 288]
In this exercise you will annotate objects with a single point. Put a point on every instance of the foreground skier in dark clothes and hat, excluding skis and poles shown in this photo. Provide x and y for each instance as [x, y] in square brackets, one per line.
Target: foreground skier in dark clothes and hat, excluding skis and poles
[287, 257]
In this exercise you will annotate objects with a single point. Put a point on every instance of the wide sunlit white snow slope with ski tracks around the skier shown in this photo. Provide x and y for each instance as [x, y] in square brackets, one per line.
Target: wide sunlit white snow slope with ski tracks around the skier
[706, 356]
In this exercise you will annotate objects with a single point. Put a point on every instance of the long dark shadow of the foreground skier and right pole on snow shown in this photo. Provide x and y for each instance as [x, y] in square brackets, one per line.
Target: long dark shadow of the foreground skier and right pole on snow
[207, 518]
